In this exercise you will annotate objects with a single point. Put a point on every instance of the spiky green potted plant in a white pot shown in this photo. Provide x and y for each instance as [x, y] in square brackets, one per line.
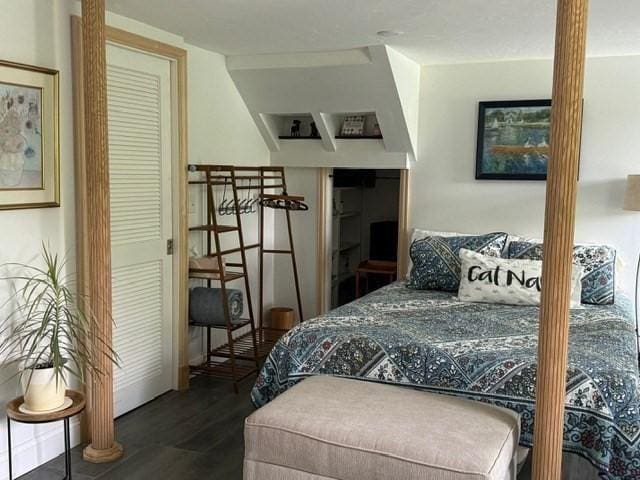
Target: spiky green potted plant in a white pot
[49, 334]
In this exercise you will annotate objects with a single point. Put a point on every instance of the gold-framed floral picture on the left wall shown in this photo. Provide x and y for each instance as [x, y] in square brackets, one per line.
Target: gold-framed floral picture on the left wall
[29, 136]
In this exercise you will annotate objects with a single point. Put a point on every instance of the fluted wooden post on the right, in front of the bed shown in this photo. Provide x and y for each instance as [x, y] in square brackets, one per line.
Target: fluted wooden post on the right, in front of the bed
[566, 120]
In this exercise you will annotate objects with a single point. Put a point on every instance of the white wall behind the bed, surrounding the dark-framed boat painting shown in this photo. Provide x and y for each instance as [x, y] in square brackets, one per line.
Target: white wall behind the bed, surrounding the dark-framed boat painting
[445, 195]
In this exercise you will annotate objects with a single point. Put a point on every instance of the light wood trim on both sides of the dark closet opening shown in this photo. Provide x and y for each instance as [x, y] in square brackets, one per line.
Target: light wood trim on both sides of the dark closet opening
[323, 257]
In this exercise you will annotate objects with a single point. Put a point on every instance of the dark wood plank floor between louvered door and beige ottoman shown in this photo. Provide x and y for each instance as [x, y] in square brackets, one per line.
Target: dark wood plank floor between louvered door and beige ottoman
[195, 434]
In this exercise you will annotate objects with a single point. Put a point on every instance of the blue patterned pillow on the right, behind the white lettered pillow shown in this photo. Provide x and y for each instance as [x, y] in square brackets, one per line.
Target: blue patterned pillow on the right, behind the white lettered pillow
[597, 261]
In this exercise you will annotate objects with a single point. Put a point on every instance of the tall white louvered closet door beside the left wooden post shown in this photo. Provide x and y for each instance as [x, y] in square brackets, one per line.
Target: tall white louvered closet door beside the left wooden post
[139, 106]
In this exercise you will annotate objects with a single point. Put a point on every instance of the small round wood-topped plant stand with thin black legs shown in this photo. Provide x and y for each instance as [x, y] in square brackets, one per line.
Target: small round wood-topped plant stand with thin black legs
[14, 413]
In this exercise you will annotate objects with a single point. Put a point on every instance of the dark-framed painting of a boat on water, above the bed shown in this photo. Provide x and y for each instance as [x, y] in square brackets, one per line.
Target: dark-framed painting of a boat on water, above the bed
[513, 140]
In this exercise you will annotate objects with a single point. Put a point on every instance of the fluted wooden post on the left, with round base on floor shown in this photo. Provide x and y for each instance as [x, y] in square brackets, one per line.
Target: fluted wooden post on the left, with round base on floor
[103, 448]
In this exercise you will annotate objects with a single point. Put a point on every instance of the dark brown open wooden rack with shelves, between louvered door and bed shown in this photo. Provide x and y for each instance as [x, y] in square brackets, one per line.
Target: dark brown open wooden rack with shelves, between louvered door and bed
[256, 344]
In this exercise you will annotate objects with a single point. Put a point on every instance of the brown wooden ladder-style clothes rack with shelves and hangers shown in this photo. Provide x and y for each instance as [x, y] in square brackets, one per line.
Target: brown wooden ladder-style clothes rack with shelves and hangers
[240, 356]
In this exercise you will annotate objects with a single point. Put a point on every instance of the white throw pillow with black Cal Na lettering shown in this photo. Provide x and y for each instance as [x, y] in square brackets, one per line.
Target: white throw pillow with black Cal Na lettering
[507, 281]
